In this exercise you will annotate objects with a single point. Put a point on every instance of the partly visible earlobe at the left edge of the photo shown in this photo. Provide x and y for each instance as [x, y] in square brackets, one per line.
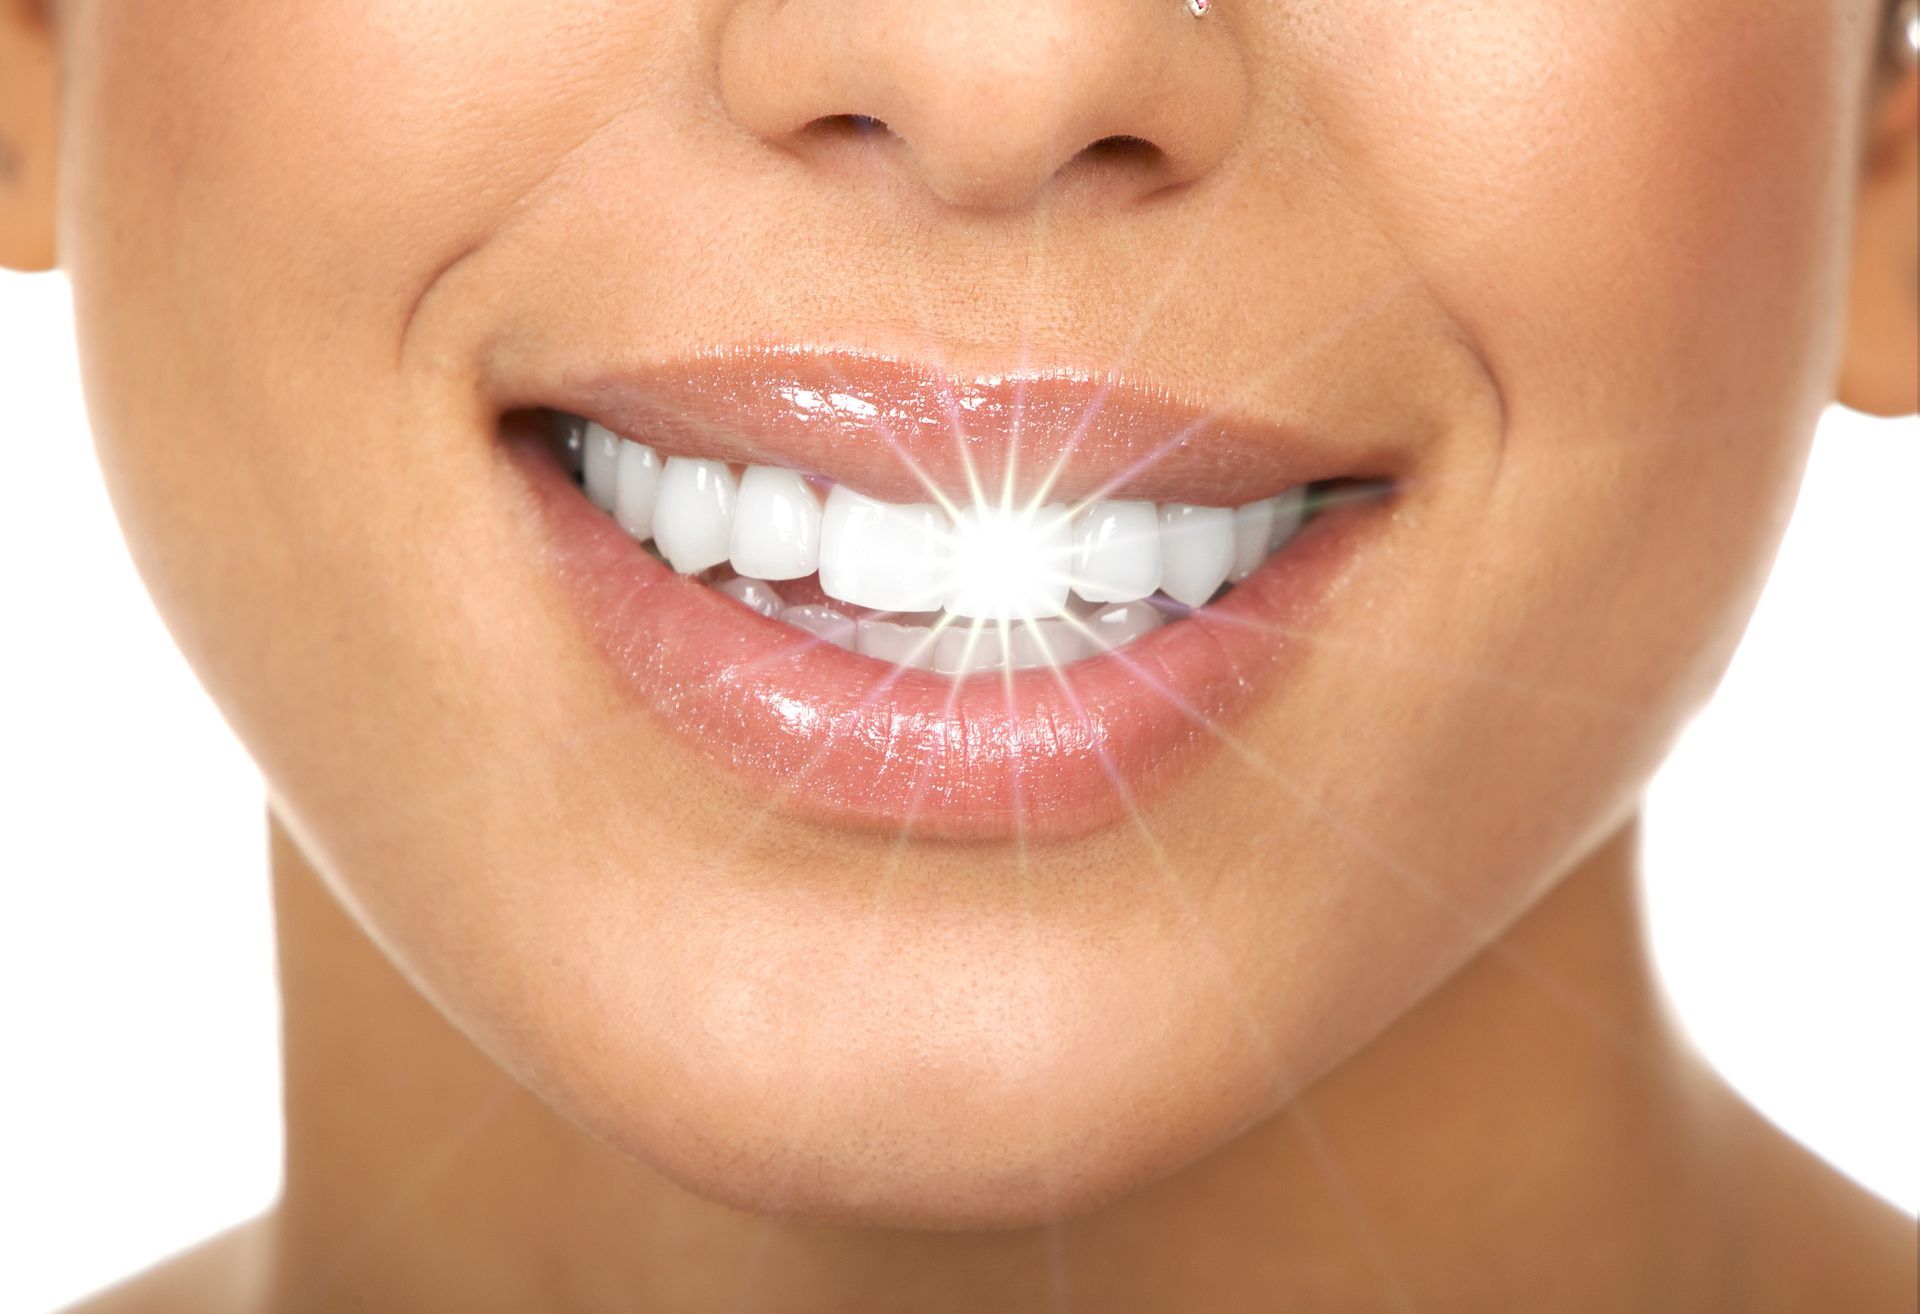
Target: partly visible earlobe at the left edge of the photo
[26, 135]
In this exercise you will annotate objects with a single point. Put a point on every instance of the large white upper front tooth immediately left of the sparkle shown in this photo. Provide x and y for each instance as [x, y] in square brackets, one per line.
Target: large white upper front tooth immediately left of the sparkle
[884, 556]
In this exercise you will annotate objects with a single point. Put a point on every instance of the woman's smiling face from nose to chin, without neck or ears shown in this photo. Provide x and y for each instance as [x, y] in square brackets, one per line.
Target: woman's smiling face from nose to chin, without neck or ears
[1564, 280]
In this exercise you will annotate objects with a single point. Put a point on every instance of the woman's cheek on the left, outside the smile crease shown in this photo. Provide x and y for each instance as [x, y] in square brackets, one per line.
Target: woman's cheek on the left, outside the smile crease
[256, 199]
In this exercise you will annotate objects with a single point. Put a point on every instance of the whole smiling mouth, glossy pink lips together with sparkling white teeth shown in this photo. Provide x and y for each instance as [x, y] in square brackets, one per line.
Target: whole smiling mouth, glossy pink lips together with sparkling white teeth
[994, 608]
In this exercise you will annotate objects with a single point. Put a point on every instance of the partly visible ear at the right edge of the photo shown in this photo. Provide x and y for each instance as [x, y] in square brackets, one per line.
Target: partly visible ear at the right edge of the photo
[1881, 370]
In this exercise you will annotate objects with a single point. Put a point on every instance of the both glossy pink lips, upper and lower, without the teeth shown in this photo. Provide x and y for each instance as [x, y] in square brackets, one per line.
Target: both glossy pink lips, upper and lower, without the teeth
[850, 741]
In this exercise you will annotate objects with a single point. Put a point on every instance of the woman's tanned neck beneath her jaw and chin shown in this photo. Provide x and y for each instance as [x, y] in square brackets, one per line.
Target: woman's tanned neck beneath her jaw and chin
[1529, 1136]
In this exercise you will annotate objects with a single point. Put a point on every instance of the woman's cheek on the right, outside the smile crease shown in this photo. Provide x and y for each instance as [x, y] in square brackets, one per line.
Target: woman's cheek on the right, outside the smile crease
[1639, 216]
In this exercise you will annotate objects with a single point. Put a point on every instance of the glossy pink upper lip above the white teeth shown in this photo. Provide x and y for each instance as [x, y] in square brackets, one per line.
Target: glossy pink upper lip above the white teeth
[907, 433]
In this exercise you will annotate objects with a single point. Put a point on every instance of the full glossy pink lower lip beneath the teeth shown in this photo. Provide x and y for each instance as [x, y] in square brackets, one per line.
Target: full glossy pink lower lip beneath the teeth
[853, 742]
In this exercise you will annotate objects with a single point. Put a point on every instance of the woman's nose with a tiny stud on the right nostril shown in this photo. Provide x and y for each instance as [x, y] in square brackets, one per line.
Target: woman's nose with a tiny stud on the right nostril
[988, 103]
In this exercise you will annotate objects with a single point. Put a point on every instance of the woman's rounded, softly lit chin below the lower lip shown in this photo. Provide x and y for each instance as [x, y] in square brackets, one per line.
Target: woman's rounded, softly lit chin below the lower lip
[917, 1071]
